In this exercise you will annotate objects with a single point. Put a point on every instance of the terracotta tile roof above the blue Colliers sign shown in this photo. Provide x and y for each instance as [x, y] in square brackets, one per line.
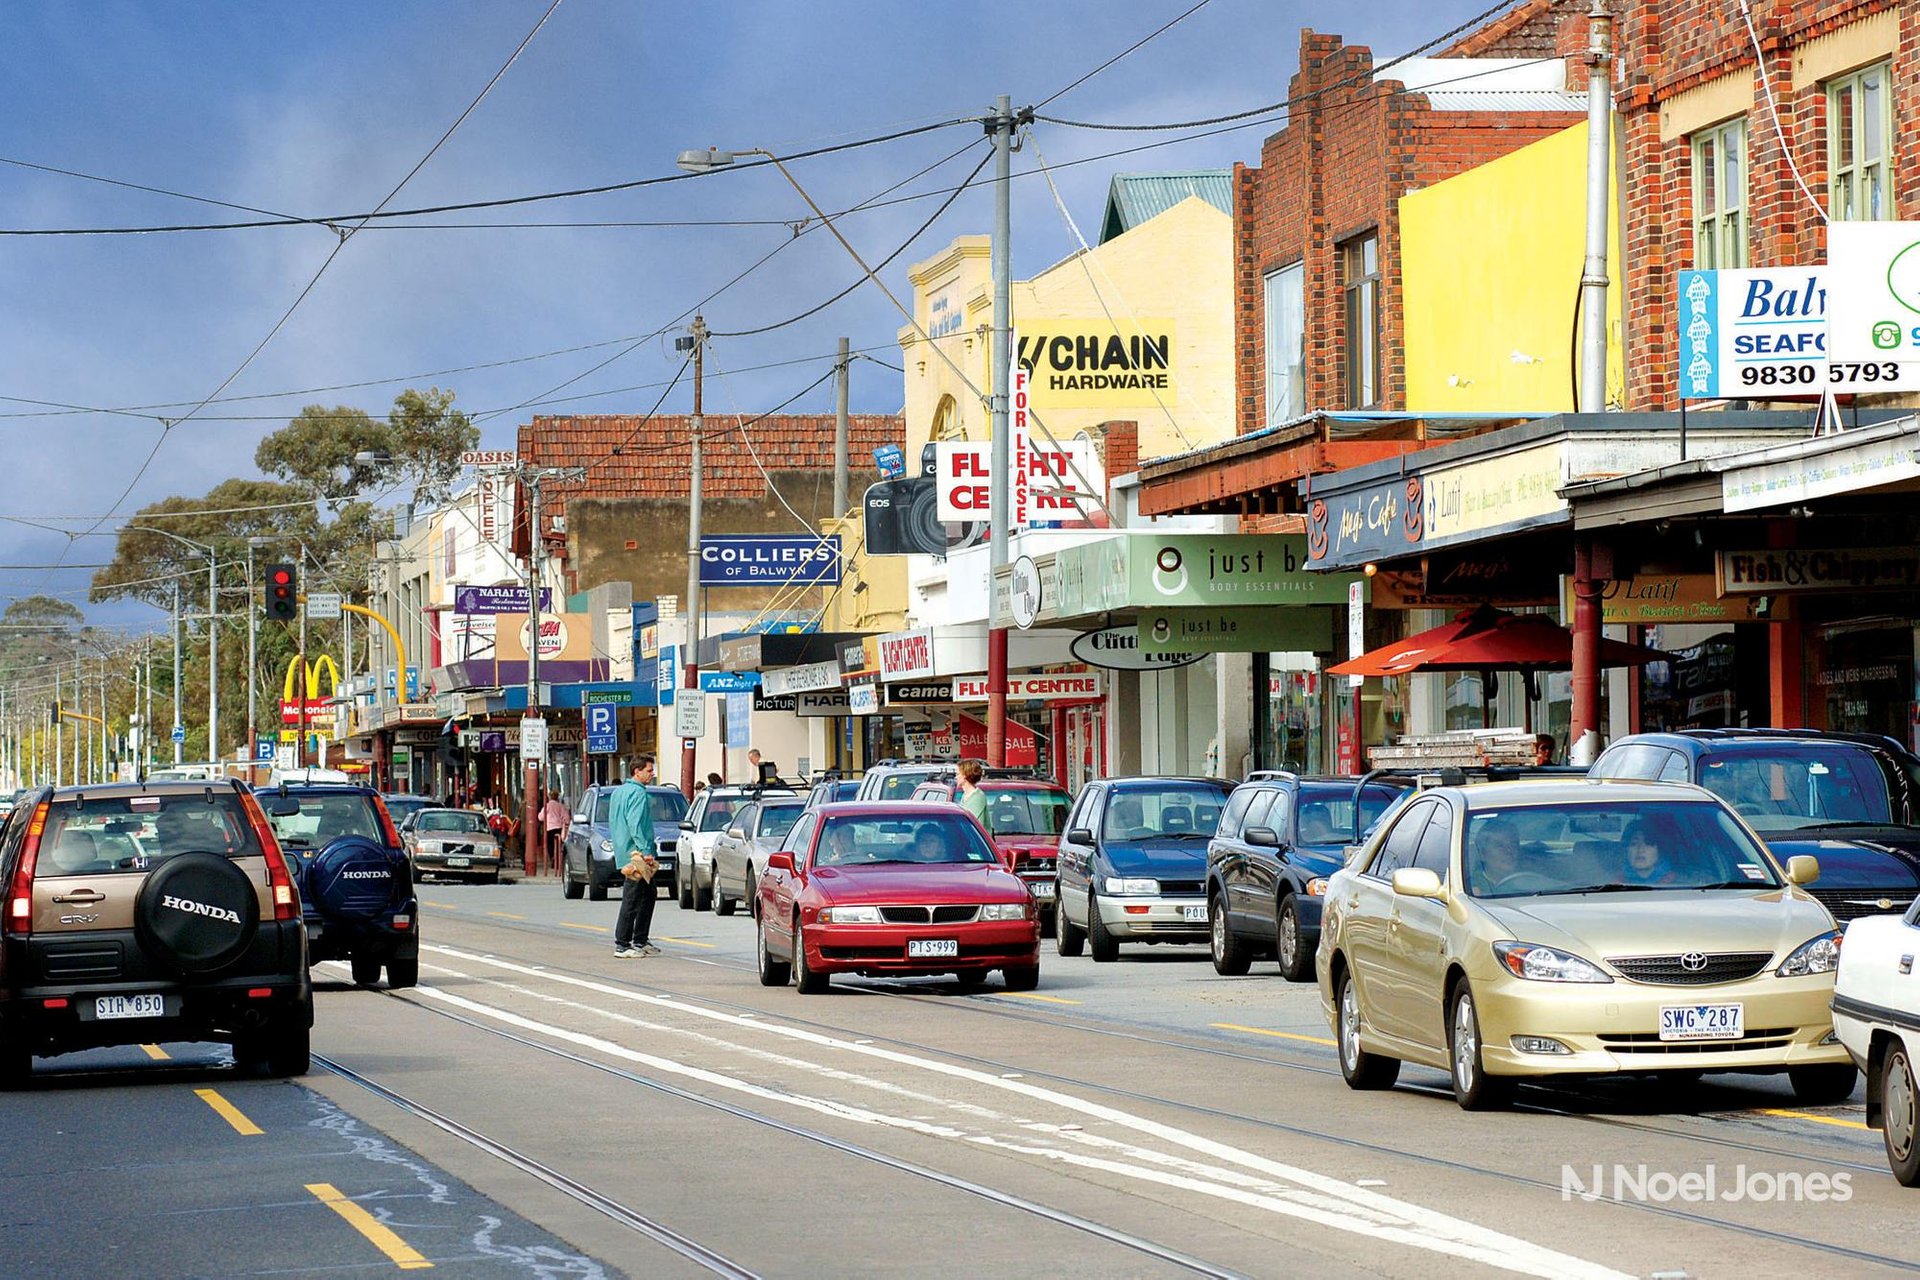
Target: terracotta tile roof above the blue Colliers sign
[635, 462]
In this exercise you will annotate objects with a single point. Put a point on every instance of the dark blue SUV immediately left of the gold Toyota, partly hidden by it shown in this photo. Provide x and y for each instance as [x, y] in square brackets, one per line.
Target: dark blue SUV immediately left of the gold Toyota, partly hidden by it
[1280, 840]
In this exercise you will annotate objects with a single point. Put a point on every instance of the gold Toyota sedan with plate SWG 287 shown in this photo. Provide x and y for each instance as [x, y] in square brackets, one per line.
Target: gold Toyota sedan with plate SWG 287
[1577, 928]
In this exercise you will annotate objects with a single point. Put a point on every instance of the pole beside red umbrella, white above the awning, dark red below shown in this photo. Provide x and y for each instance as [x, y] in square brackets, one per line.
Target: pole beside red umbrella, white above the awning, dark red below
[1583, 738]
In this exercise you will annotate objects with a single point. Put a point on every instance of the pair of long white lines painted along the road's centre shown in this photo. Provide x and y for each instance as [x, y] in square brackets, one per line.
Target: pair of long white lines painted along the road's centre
[1314, 1197]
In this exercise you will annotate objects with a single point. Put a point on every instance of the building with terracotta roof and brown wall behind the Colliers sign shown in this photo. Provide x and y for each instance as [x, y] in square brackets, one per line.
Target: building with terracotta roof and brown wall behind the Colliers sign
[627, 521]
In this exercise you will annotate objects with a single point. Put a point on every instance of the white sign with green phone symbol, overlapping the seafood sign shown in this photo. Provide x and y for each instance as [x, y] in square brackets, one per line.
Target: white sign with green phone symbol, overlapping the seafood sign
[1873, 306]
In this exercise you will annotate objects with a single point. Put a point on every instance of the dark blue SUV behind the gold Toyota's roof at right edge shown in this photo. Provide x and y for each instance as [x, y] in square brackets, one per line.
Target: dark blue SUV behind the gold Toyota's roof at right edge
[1848, 799]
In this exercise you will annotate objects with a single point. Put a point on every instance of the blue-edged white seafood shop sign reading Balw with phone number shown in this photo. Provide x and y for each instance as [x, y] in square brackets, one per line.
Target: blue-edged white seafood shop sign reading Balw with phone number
[1752, 333]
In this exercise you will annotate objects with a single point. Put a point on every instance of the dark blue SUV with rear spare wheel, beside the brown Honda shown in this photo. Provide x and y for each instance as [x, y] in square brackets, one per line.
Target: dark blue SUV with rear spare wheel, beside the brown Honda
[356, 886]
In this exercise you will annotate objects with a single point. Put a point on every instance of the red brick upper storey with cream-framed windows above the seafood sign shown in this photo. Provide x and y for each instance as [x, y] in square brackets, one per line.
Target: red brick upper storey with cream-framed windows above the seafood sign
[1708, 168]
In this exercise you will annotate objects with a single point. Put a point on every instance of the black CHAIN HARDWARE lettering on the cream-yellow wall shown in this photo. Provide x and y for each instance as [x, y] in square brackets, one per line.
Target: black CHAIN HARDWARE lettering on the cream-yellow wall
[1099, 364]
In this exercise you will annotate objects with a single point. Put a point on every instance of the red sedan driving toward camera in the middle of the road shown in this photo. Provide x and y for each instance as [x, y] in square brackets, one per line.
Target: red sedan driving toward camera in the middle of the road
[892, 889]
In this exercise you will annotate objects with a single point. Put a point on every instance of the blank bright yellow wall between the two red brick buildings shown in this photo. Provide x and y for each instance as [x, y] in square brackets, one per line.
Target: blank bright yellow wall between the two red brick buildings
[1491, 270]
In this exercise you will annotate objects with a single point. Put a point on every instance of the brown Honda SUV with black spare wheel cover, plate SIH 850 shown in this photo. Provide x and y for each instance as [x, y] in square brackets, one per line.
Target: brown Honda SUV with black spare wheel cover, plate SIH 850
[151, 913]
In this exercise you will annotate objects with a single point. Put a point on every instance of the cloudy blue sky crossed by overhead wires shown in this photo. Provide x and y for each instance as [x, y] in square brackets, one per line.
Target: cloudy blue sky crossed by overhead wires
[320, 110]
